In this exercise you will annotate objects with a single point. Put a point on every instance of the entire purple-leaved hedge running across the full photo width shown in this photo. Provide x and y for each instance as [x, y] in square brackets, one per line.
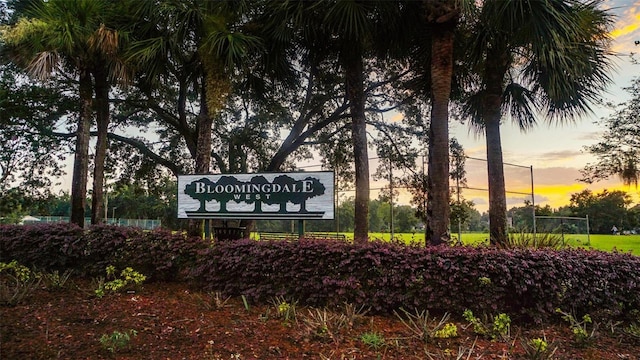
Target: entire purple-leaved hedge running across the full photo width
[381, 276]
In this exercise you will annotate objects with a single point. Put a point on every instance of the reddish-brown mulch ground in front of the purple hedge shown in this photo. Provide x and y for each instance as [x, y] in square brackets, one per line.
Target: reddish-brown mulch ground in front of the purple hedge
[174, 321]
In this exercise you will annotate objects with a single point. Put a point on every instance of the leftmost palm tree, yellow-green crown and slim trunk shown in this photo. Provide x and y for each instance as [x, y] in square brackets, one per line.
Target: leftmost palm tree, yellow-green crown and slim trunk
[69, 36]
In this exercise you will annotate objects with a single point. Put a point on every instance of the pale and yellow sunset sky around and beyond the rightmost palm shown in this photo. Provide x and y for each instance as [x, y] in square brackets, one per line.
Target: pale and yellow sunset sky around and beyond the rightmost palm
[557, 152]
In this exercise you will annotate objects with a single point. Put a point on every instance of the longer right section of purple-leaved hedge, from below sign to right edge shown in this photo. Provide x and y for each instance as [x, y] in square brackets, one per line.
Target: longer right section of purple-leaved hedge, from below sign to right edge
[526, 283]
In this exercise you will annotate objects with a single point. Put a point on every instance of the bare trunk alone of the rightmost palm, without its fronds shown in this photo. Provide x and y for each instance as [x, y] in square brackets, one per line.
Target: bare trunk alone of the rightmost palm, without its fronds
[496, 68]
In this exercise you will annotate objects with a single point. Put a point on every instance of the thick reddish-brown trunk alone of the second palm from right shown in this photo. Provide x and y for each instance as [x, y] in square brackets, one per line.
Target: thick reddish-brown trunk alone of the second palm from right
[437, 227]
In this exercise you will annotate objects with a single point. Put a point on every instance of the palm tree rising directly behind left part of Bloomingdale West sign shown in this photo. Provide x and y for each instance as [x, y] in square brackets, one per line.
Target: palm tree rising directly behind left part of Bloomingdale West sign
[208, 41]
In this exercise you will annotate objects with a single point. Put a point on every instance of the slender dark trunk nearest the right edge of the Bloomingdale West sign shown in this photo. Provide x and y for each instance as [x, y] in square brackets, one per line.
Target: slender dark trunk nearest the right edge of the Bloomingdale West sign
[355, 92]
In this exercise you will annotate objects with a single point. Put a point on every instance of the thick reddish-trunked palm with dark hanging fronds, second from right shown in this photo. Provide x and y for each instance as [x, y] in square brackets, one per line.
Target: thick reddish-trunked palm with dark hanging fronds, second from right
[434, 28]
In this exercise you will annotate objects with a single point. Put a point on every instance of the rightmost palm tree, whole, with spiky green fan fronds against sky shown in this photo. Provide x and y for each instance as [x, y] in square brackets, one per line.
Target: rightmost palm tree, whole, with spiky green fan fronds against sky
[545, 57]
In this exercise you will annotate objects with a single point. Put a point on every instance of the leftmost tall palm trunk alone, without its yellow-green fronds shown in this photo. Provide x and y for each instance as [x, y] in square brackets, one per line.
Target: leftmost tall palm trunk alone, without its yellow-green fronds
[81, 156]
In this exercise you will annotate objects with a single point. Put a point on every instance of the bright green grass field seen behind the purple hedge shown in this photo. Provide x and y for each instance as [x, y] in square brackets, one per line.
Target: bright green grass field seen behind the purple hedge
[622, 243]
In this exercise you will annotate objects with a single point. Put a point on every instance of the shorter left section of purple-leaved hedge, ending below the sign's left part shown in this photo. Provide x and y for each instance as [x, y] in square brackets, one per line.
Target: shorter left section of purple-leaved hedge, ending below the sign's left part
[159, 254]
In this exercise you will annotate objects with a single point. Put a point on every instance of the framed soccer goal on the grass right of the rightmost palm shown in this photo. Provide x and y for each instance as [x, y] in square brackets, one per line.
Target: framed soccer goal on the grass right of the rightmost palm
[569, 227]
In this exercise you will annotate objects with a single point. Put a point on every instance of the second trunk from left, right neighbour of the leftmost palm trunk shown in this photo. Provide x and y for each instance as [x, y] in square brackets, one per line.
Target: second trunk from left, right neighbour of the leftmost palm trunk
[102, 119]
